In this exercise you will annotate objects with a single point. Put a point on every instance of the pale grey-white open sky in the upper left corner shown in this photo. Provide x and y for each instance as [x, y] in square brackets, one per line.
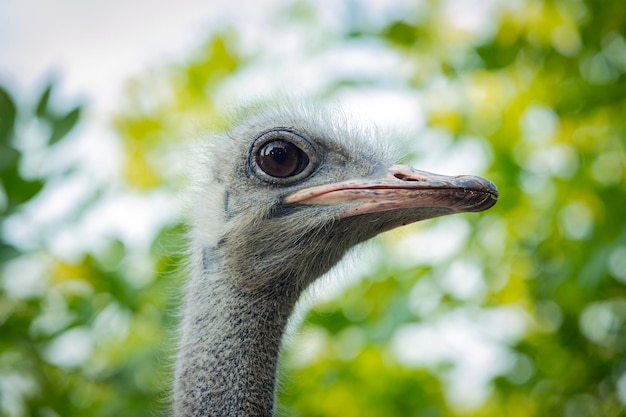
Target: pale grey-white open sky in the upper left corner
[95, 46]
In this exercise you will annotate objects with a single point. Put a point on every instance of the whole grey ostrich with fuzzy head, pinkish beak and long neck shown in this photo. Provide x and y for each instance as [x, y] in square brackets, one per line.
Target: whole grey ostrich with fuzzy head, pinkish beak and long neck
[284, 195]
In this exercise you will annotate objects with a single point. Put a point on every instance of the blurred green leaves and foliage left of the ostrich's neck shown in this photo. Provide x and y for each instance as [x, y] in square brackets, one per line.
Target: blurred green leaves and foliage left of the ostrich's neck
[46, 310]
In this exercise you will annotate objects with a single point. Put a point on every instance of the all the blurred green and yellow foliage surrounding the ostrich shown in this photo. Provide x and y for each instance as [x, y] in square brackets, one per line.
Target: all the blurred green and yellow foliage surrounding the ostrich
[543, 92]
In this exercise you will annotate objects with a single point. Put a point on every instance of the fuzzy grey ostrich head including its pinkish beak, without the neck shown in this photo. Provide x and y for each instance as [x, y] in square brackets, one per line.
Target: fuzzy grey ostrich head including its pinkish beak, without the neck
[295, 195]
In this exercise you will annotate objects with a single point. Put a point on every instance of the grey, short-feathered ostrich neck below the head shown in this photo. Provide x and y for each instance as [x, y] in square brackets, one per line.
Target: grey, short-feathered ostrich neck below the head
[230, 343]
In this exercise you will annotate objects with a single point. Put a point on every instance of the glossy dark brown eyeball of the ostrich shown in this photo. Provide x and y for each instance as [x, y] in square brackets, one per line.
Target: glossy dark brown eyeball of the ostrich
[282, 159]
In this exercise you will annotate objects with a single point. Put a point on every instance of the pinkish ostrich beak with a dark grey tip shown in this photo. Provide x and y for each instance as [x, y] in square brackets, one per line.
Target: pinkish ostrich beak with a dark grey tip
[402, 187]
